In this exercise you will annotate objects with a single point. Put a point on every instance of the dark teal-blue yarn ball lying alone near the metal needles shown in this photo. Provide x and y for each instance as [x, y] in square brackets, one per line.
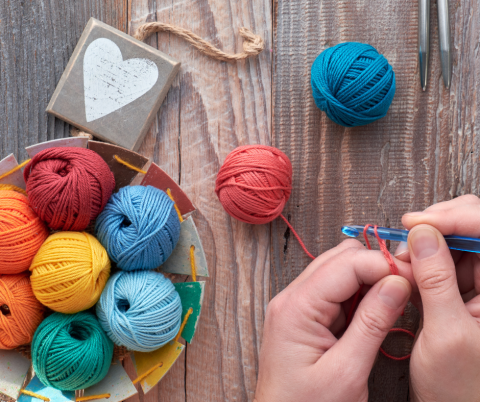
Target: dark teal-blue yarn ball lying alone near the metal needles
[353, 84]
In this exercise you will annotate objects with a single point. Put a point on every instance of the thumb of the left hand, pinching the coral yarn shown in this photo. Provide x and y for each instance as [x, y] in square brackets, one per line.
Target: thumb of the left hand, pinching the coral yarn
[375, 316]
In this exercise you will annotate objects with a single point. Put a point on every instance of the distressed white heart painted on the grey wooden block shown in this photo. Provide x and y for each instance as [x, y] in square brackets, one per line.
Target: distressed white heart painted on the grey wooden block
[111, 83]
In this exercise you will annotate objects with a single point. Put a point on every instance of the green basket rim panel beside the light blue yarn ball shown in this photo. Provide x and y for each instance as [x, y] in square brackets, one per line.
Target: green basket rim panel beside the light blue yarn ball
[191, 295]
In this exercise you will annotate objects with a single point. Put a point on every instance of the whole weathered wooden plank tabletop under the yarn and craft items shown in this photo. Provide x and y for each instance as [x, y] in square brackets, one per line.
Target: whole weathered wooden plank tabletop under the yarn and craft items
[425, 151]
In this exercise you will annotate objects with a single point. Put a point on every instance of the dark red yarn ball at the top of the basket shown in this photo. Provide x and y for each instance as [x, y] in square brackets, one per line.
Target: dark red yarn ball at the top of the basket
[68, 187]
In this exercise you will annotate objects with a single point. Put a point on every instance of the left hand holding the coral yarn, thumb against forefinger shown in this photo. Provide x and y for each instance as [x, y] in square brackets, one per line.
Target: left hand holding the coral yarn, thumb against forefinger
[302, 358]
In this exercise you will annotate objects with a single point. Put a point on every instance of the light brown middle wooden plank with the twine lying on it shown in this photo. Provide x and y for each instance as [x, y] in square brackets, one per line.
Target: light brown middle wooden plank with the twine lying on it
[211, 108]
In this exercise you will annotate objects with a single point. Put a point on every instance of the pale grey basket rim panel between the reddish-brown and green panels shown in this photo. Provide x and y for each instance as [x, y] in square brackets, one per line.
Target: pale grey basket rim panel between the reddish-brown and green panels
[179, 260]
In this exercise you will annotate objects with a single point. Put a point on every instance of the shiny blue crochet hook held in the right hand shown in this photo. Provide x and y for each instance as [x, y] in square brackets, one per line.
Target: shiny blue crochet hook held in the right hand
[453, 242]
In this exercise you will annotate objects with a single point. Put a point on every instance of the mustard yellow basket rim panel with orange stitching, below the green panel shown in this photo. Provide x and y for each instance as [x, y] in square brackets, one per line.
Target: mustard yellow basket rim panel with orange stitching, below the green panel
[167, 355]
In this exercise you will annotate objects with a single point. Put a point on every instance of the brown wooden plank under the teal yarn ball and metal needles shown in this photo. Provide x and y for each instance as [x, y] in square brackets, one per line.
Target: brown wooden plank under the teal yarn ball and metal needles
[426, 150]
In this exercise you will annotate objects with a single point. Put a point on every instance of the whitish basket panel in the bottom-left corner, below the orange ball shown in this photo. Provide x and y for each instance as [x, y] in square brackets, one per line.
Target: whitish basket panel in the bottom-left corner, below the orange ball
[13, 370]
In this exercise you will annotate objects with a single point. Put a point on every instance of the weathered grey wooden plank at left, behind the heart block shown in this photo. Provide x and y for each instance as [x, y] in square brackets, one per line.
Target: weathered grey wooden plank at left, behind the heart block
[36, 42]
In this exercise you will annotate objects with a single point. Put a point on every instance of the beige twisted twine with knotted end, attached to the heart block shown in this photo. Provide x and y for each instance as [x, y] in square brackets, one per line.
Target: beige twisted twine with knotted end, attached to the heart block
[252, 44]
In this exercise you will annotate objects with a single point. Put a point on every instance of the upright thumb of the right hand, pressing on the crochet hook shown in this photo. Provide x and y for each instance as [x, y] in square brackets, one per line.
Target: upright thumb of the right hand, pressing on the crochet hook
[434, 273]
